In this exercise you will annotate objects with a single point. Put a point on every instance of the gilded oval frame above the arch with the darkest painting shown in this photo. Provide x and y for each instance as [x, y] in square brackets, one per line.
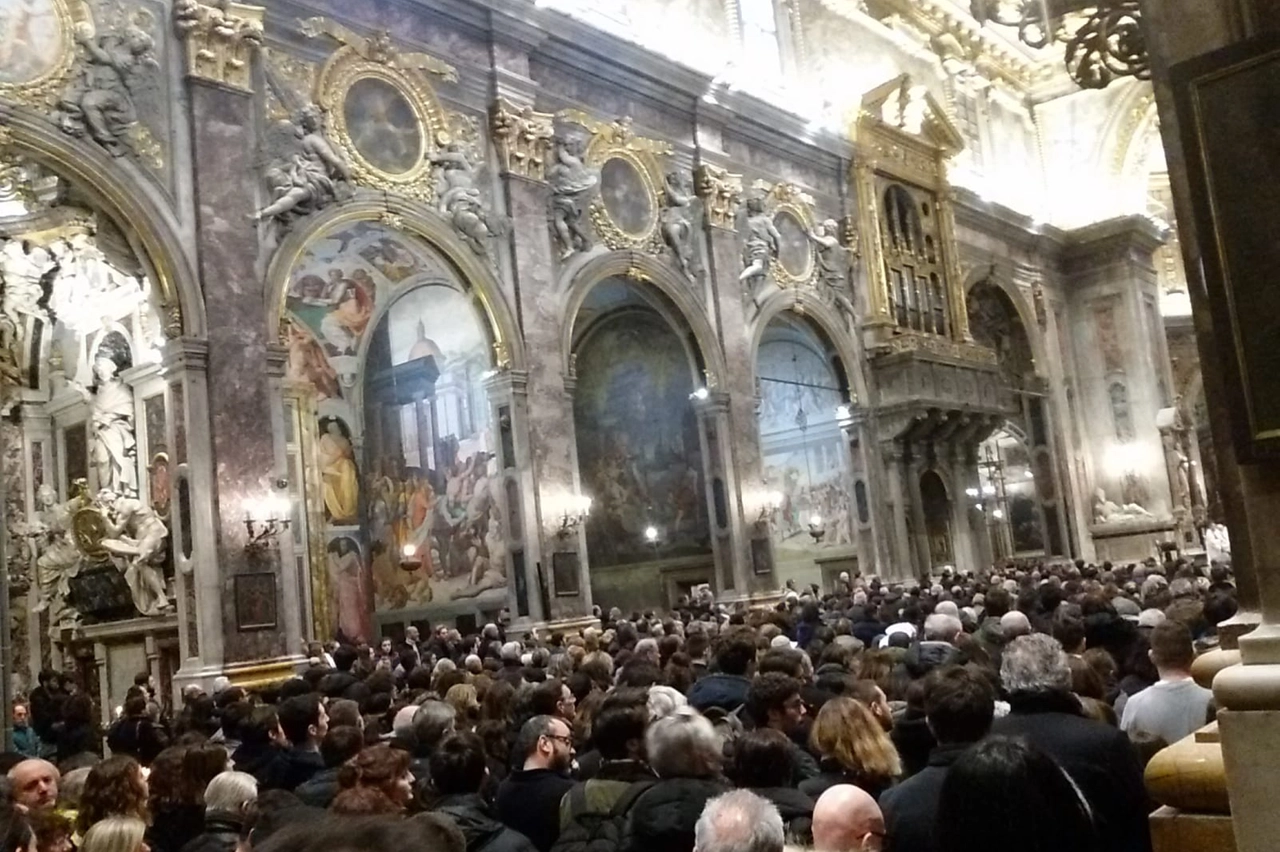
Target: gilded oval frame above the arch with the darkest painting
[616, 141]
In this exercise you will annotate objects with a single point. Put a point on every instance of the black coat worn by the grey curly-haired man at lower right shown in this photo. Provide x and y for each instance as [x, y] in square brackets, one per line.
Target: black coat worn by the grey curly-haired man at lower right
[1099, 758]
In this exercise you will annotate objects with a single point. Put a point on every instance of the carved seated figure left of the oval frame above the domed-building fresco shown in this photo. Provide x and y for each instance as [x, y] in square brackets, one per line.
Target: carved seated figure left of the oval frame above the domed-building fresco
[314, 176]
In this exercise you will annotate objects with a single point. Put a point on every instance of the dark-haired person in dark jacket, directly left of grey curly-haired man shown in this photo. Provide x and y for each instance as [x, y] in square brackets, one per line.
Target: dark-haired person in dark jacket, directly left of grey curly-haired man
[959, 706]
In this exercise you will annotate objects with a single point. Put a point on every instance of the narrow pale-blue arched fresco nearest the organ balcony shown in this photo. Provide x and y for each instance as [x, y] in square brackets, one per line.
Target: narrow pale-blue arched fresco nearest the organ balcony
[801, 441]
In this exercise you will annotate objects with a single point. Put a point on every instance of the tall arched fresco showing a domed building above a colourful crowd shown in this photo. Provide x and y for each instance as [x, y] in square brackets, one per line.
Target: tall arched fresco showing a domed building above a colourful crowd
[433, 471]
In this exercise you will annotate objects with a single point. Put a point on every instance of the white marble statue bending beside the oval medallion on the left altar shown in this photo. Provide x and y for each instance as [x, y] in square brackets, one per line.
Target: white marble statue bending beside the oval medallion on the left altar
[136, 538]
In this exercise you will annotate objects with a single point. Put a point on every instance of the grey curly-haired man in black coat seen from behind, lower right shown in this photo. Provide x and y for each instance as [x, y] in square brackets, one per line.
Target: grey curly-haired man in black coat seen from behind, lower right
[1100, 759]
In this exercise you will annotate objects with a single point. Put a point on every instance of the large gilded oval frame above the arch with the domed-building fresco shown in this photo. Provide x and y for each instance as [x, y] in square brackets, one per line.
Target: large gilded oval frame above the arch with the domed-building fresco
[346, 68]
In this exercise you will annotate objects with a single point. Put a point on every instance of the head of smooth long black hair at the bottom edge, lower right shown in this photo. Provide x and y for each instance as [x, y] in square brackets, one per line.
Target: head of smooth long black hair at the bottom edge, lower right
[1007, 795]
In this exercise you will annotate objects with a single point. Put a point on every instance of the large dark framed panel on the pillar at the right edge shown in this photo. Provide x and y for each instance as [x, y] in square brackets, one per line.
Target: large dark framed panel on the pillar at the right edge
[1228, 103]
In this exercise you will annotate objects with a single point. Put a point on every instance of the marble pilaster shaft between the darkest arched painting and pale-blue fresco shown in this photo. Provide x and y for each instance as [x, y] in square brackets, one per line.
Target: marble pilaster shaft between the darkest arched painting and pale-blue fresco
[743, 433]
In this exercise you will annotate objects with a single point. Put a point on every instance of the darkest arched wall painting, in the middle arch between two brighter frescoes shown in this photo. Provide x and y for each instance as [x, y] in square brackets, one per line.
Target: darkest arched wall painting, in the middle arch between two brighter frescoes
[638, 445]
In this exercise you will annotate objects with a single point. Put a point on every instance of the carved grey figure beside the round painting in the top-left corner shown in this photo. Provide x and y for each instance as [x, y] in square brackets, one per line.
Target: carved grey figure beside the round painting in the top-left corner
[102, 103]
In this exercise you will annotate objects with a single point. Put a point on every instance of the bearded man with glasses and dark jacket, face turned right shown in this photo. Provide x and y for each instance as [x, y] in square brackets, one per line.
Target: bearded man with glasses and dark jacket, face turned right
[529, 799]
